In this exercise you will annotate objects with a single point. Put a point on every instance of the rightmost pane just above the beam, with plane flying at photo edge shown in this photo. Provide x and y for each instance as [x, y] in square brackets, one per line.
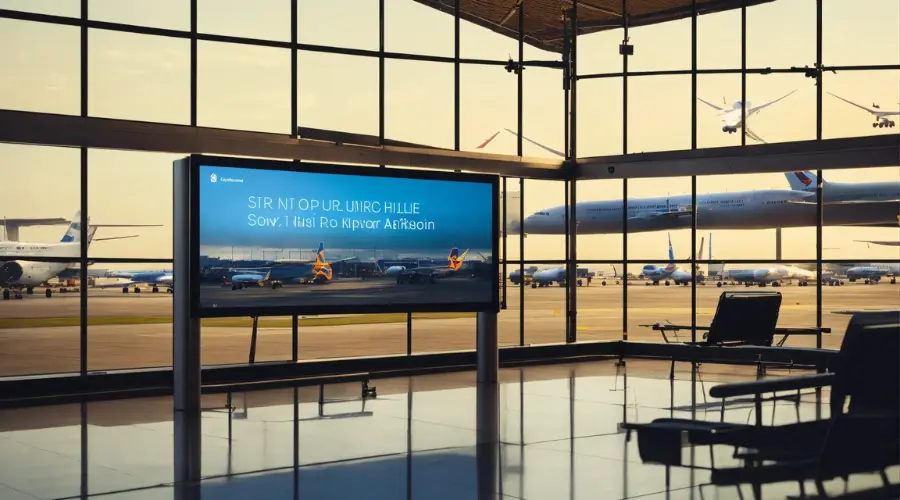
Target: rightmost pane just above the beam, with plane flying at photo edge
[853, 100]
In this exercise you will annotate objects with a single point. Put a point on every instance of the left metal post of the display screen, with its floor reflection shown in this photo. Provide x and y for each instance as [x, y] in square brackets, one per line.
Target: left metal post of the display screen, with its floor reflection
[186, 344]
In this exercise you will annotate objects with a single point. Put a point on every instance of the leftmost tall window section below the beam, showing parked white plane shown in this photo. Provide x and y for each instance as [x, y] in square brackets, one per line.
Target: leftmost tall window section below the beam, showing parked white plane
[40, 332]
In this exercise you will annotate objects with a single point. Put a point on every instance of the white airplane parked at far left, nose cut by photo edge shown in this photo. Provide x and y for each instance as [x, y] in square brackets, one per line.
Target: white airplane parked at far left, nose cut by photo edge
[18, 275]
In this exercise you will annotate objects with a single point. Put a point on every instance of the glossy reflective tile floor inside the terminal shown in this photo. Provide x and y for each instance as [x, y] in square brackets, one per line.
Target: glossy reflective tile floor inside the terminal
[558, 430]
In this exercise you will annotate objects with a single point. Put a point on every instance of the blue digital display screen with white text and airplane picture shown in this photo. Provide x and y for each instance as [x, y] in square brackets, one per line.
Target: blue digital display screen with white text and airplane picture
[377, 241]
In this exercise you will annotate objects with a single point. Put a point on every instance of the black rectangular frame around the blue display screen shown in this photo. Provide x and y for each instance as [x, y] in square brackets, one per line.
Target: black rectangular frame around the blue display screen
[194, 163]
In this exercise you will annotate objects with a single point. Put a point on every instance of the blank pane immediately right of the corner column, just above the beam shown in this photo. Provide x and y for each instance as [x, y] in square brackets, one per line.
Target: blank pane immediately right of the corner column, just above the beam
[600, 117]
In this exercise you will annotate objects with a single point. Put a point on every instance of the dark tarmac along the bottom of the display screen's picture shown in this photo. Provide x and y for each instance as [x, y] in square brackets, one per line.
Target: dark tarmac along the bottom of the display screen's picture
[347, 292]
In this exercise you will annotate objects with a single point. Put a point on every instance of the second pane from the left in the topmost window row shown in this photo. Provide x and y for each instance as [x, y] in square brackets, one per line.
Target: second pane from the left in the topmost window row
[168, 14]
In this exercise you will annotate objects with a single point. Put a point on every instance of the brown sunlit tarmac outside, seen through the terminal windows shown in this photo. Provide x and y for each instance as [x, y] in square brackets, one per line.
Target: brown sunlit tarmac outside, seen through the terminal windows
[145, 341]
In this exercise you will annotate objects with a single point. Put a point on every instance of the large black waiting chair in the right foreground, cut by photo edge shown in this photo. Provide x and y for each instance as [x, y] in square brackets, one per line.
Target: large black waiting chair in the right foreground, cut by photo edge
[864, 438]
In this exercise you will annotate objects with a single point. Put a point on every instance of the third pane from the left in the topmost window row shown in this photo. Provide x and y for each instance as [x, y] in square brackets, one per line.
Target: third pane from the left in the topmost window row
[262, 19]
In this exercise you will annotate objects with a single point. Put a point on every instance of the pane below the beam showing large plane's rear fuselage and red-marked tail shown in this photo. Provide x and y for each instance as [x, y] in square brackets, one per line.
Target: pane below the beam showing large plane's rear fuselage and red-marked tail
[742, 213]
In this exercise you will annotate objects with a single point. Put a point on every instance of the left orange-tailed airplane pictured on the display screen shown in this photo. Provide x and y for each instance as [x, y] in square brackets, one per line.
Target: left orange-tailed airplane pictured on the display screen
[291, 271]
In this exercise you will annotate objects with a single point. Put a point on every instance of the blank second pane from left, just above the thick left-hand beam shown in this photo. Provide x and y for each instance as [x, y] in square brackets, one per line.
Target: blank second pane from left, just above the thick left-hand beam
[139, 77]
